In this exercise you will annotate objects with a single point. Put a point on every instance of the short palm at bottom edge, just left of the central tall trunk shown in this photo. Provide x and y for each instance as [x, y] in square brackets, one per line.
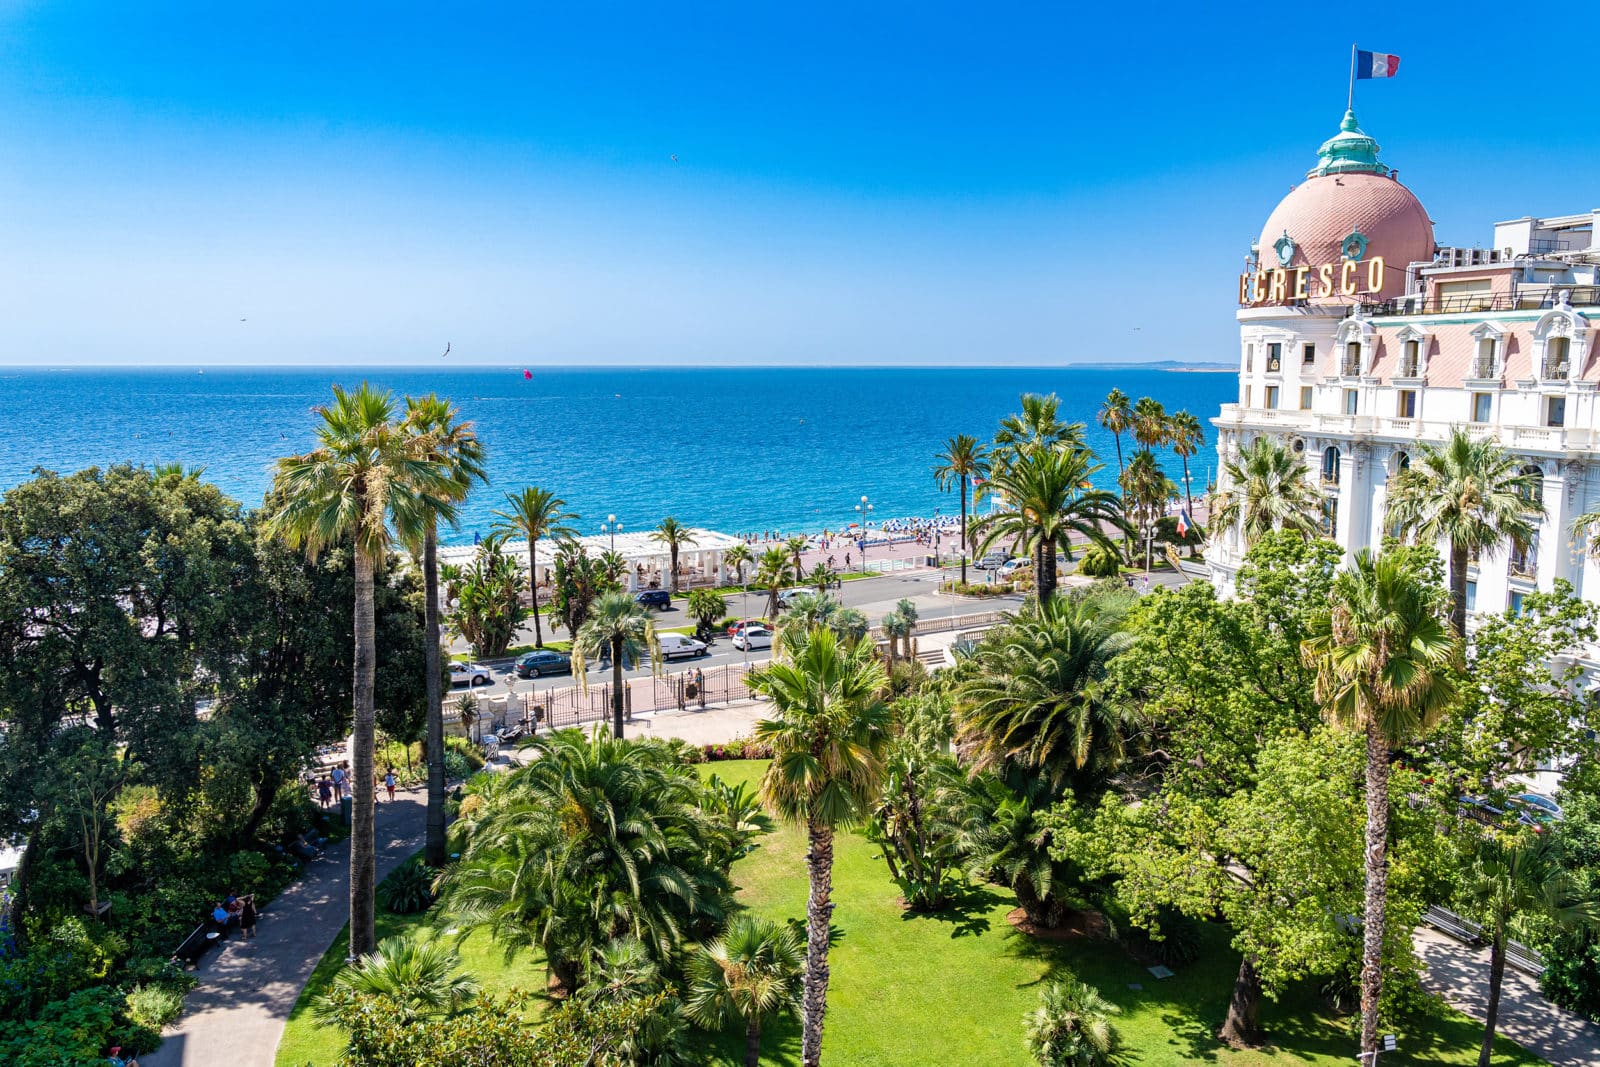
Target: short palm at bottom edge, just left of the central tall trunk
[751, 973]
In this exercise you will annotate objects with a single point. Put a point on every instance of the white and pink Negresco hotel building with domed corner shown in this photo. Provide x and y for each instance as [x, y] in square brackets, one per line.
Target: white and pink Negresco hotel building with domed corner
[1362, 340]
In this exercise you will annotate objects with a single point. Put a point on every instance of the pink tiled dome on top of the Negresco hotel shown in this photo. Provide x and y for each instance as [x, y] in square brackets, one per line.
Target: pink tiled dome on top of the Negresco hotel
[1322, 212]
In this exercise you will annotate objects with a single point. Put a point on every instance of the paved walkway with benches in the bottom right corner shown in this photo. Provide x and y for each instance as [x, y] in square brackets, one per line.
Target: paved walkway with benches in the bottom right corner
[1462, 975]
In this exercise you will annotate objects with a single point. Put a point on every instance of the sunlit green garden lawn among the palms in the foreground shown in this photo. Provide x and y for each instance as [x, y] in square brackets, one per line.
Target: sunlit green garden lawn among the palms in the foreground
[953, 989]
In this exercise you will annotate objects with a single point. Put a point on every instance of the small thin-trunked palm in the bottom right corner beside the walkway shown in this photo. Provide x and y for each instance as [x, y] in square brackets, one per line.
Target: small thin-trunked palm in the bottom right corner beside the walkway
[1522, 876]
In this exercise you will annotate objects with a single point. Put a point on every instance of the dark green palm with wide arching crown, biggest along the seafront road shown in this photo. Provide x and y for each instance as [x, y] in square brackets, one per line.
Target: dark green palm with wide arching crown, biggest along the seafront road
[1049, 498]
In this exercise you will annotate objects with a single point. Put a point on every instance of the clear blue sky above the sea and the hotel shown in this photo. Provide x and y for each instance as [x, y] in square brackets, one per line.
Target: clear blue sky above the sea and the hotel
[908, 183]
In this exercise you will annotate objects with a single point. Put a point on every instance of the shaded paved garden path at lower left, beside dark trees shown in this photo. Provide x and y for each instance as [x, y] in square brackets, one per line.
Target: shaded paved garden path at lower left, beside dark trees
[236, 1015]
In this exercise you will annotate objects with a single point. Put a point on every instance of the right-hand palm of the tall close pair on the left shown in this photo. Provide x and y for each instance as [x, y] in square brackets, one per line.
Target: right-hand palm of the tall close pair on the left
[455, 447]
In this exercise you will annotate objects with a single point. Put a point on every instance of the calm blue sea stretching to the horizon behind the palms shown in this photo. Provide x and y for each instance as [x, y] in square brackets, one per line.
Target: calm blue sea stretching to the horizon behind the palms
[726, 449]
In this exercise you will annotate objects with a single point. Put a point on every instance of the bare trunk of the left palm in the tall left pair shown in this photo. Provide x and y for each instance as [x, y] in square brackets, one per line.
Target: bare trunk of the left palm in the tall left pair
[364, 863]
